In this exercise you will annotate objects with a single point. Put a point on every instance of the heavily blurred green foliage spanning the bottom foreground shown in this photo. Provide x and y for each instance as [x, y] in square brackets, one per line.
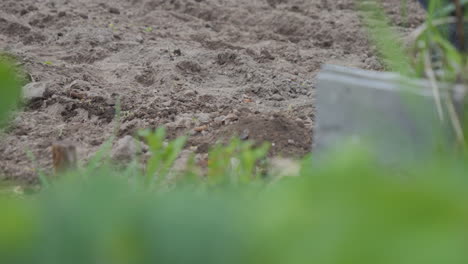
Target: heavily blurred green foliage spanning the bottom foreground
[343, 210]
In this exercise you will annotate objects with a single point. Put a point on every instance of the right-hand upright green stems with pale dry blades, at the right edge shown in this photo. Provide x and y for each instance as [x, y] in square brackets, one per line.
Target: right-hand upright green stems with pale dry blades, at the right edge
[451, 66]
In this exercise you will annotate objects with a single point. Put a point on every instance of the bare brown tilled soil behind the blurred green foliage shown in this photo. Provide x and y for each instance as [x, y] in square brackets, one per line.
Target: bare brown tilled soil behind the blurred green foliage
[210, 69]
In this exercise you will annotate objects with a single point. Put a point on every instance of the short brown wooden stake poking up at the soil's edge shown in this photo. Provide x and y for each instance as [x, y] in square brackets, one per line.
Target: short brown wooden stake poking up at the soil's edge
[64, 157]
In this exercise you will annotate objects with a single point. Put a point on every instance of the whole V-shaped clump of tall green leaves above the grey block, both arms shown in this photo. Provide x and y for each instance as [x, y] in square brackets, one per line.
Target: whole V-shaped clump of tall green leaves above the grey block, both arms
[433, 56]
